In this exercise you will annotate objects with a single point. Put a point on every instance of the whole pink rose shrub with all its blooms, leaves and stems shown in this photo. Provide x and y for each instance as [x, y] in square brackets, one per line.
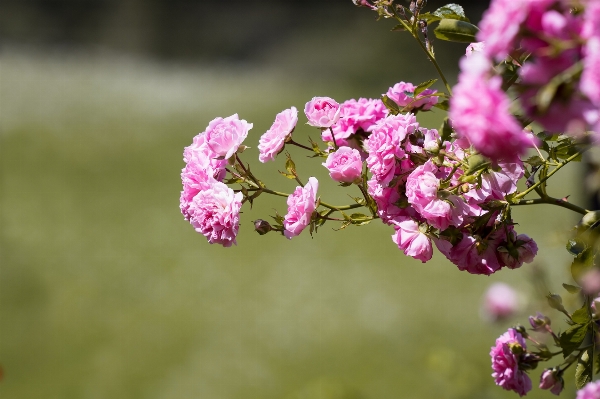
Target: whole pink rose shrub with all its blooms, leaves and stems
[527, 103]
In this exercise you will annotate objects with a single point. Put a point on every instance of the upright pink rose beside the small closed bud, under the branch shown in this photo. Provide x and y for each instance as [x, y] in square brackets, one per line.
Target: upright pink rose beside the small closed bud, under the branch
[301, 205]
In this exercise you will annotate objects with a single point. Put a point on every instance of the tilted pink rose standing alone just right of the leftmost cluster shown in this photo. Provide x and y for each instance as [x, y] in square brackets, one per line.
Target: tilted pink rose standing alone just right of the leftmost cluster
[272, 142]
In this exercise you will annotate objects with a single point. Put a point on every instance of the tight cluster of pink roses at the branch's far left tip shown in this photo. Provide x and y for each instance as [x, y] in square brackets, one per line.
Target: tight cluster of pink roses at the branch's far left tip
[211, 207]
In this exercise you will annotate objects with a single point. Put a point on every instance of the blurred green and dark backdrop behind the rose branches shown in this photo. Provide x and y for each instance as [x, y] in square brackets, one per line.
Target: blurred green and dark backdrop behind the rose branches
[106, 292]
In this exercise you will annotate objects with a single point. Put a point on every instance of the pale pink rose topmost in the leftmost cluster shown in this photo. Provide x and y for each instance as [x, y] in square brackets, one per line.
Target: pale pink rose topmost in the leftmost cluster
[224, 136]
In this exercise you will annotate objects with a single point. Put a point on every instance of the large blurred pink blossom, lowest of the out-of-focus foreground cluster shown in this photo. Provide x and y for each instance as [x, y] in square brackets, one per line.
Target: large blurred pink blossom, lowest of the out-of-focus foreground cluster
[479, 111]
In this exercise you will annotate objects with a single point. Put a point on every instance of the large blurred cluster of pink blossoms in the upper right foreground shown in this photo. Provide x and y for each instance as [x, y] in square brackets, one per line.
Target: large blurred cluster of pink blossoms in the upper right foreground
[560, 45]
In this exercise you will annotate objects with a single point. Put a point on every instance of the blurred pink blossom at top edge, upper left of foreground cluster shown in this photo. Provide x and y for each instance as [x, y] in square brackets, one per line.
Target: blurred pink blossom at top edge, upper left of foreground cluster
[500, 25]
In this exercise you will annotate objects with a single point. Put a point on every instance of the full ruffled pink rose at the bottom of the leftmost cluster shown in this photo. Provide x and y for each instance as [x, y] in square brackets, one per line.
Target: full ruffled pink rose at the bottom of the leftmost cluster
[215, 213]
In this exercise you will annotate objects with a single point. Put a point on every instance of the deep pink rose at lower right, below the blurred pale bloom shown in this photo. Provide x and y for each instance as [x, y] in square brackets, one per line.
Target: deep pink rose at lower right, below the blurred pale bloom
[505, 363]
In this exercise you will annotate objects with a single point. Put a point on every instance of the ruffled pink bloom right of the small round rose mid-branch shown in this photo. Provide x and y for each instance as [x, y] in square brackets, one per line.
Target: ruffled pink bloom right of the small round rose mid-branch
[384, 145]
